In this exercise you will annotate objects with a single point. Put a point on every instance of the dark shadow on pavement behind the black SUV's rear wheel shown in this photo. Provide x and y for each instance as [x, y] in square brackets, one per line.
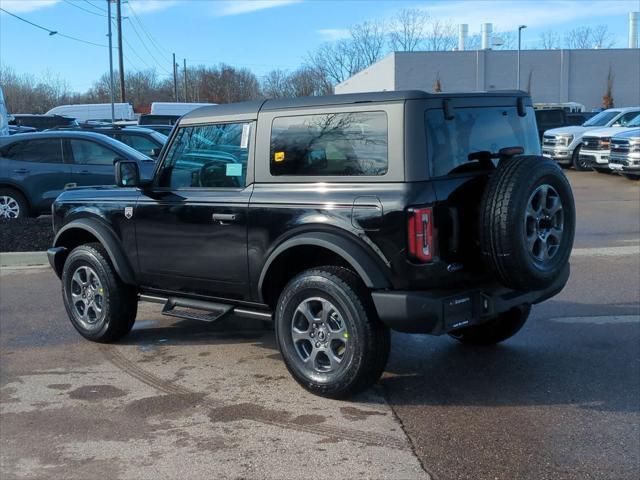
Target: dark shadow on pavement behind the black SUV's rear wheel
[590, 365]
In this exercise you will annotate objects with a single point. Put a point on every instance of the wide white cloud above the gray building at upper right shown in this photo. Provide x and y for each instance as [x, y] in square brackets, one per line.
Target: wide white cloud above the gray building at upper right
[507, 16]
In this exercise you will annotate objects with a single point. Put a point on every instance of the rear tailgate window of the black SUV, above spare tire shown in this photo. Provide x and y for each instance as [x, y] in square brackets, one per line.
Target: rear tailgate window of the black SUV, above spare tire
[450, 142]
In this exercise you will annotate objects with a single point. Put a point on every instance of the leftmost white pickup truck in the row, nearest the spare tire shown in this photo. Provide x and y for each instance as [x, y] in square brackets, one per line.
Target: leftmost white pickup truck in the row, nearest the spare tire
[563, 144]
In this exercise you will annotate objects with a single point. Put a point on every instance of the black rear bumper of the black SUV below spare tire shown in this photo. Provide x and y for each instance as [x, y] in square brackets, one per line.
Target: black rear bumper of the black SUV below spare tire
[441, 311]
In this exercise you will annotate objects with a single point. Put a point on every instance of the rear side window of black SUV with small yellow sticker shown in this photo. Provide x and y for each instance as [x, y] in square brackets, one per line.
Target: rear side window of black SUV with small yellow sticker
[331, 144]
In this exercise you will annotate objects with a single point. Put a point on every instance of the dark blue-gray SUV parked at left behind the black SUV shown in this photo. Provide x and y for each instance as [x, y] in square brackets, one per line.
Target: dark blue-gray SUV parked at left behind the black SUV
[36, 167]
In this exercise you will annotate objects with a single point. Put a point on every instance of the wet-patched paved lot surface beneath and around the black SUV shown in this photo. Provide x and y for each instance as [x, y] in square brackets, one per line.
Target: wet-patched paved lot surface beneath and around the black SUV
[187, 400]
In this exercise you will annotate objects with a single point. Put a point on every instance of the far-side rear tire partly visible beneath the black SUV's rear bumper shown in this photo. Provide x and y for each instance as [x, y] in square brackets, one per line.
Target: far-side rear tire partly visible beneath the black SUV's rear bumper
[504, 326]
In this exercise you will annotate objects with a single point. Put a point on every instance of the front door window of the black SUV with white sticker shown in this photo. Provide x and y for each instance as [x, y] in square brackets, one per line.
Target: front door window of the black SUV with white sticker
[208, 156]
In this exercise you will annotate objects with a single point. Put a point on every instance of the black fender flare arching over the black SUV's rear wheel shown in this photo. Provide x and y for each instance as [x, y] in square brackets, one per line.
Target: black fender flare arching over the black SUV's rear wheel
[354, 254]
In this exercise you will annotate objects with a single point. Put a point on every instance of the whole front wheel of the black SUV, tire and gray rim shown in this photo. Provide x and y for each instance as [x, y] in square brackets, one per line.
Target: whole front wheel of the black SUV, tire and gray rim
[99, 305]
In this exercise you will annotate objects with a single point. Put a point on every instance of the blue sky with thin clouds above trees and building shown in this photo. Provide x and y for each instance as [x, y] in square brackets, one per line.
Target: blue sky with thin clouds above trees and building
[258, 34]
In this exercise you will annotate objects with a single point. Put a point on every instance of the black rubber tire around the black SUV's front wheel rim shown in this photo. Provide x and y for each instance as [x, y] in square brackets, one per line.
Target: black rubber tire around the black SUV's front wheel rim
[120, 303]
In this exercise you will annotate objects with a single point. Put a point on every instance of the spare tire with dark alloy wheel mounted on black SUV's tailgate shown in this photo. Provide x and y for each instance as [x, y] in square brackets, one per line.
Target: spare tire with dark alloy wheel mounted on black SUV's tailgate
[527, 222]
